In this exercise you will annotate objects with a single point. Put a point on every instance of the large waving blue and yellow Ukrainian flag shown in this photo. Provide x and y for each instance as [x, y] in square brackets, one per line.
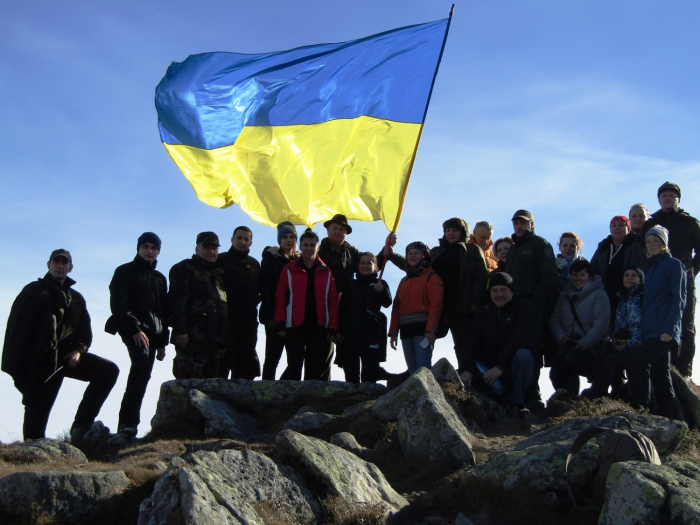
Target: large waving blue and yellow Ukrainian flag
[301, 135]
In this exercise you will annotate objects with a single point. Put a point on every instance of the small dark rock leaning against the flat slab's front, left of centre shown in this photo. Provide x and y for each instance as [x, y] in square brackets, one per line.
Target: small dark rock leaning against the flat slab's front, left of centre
[222, 420]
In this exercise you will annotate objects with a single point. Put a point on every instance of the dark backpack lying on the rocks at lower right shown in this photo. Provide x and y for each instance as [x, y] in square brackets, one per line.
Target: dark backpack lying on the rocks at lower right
[620, 445]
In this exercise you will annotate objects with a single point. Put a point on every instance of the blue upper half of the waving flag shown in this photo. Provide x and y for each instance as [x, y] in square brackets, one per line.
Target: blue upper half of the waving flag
[206, 101]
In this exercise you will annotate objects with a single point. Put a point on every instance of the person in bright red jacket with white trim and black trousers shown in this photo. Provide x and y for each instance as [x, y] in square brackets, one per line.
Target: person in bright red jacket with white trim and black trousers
[306, 309]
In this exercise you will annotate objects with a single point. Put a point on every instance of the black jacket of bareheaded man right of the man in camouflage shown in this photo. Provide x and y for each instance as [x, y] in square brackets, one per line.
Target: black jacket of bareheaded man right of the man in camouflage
[241, 277]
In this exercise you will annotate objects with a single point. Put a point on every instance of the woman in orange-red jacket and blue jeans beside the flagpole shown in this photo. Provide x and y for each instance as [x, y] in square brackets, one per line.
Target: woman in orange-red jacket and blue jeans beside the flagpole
[417, 307]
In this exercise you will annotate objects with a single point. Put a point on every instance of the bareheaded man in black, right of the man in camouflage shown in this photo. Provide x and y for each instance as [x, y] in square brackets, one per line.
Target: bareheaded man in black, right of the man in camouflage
[241, 277]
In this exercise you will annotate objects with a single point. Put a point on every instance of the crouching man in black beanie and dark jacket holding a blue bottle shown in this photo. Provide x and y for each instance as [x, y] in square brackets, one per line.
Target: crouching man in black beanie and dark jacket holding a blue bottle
[499, 355]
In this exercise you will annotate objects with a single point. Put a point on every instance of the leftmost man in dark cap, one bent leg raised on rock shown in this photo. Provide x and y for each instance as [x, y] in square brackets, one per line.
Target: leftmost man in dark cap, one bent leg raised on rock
[47, 338]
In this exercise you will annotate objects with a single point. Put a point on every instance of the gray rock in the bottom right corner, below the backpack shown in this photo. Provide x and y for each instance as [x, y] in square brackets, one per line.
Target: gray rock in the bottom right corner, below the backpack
[641, 493]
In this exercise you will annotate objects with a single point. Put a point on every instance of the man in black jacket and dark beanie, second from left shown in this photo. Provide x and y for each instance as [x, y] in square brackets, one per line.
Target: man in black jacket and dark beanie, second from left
[137, 300]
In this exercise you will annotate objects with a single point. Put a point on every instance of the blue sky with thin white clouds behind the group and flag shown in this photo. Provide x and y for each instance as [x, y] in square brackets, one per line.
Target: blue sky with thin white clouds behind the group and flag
[574, 110]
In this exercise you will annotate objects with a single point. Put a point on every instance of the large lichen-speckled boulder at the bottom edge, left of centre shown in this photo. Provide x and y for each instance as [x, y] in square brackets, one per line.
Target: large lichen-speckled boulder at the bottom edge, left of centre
[228, 487]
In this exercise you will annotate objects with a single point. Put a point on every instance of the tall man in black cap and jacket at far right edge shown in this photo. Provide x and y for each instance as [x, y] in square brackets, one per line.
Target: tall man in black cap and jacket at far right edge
[684, 245]
